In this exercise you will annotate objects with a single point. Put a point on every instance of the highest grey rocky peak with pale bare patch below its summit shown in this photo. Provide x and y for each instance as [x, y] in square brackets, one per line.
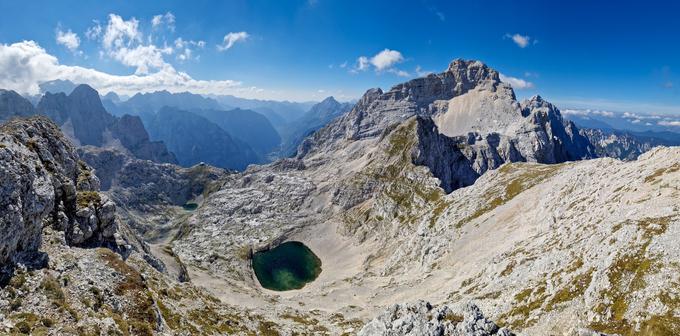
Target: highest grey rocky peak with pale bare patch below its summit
[469, 104]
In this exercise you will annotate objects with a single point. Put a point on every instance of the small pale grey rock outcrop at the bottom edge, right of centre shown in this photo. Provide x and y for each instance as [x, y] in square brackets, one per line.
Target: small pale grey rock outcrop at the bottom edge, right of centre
[421, 318]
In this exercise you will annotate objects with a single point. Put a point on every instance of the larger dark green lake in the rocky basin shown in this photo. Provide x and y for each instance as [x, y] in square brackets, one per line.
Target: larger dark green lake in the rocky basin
[288, 266]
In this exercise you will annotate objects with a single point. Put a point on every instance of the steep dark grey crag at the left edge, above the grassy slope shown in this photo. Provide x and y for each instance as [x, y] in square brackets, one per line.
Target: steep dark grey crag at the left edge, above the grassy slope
[45, 183]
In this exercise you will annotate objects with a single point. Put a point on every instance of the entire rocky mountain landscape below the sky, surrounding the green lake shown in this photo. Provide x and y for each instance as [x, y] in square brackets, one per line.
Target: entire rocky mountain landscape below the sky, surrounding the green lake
[442, 206]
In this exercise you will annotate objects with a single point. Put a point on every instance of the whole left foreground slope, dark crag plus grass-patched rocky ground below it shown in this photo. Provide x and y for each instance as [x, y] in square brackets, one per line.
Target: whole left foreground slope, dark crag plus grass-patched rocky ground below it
[59, 270]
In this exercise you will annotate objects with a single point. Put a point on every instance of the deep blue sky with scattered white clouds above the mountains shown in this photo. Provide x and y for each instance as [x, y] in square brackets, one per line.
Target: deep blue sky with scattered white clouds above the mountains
[579, 54]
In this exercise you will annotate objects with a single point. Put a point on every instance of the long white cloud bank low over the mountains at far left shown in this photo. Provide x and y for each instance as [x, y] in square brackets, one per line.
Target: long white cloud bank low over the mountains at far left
[26, 64]
